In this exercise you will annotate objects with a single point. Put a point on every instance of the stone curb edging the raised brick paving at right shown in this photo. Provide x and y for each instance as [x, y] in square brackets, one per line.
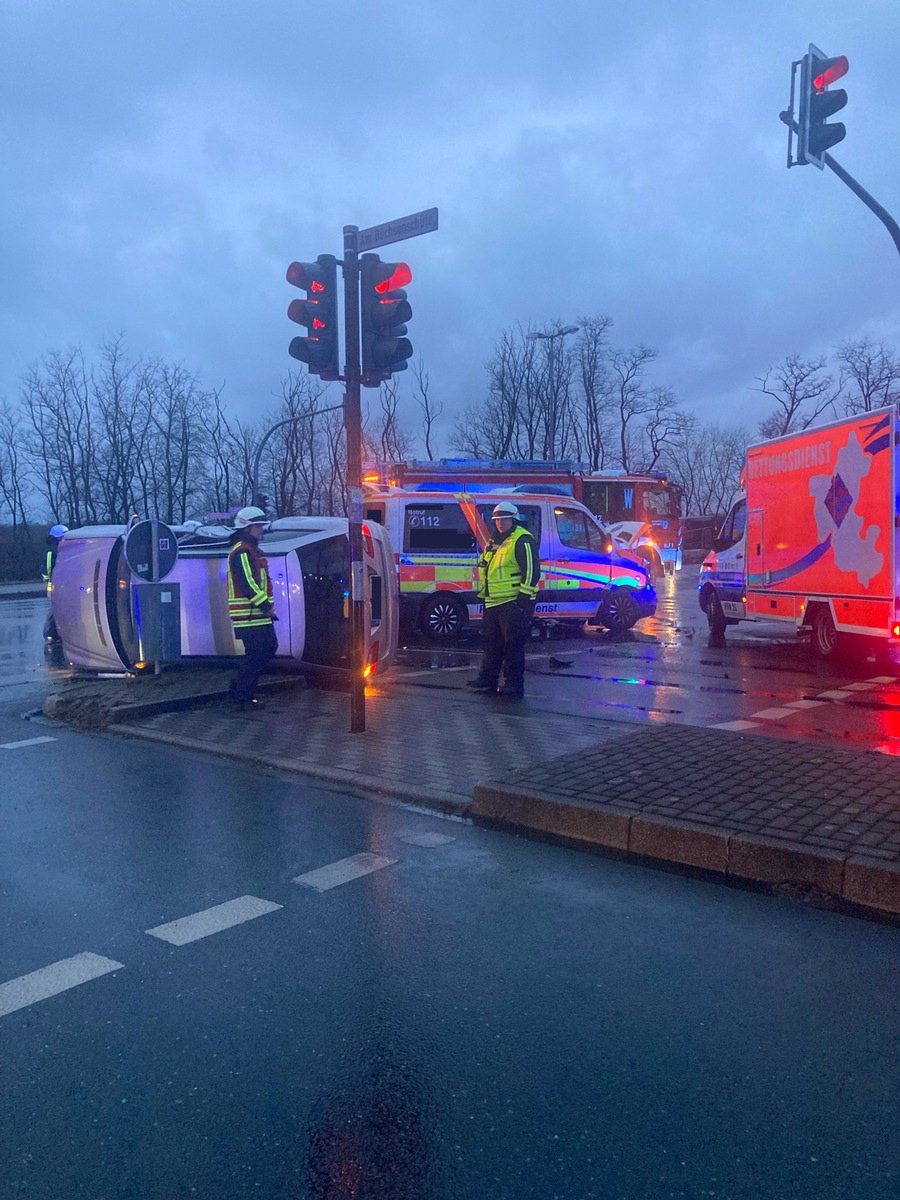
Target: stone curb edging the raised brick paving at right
[853, 879]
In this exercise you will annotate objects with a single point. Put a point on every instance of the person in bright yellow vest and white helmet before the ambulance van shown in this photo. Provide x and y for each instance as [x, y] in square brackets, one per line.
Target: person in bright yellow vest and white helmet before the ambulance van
[509, 572]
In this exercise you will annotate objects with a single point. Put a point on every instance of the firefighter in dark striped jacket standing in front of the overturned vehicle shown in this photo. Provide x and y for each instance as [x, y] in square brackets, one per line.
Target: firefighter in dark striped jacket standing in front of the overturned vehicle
[250, 605]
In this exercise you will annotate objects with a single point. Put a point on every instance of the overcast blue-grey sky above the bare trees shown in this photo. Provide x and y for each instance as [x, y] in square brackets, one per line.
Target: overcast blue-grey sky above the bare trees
[164, 163]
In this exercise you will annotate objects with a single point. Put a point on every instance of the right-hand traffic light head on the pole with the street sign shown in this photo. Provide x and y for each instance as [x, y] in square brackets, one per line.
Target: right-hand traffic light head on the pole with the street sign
[385, 313]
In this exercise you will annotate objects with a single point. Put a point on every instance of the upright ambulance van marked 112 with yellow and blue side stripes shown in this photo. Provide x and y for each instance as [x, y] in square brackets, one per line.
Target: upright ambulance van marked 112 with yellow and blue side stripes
[437, 538]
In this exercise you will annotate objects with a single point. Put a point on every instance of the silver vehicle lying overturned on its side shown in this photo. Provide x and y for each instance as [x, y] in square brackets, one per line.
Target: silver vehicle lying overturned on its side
[94, 595]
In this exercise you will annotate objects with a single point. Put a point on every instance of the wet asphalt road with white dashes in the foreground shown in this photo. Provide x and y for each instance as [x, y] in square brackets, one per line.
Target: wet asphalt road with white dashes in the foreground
[479, 1016]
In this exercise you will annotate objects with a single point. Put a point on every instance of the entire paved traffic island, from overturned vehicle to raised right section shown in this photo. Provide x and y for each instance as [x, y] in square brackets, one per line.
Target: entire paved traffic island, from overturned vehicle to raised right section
[823, 823]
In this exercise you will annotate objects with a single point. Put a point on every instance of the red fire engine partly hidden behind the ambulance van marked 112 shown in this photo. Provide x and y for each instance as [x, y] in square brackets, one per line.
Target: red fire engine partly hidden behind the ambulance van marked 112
[640, 512]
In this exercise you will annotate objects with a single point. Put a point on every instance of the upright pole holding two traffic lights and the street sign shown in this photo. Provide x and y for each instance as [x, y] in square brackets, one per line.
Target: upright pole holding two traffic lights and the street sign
[353, 425]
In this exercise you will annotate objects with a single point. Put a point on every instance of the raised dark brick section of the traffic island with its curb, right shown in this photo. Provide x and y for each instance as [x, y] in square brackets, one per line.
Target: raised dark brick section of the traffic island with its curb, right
[743, 809]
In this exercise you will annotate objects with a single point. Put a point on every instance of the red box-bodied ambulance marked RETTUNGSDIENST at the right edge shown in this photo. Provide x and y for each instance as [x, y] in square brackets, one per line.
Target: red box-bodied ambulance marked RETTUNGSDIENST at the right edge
[813, 541]
